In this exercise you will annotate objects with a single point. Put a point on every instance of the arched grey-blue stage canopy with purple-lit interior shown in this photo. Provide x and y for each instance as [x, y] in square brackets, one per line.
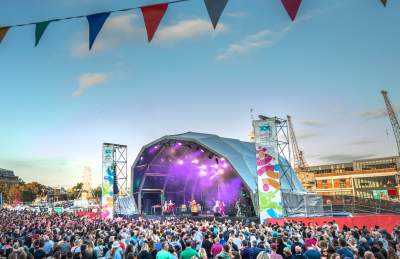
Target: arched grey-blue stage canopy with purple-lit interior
[232, 160]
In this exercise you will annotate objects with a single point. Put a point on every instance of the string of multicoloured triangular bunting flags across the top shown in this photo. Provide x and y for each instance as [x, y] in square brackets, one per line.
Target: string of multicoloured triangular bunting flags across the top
[152, 16]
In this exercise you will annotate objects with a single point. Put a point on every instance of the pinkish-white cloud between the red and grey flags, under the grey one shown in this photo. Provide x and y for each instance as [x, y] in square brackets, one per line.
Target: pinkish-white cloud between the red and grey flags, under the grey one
[187, 29]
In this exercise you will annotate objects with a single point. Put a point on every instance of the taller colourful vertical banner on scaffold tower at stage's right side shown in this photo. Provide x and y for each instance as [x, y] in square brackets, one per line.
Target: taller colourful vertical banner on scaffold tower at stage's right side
[267, 157]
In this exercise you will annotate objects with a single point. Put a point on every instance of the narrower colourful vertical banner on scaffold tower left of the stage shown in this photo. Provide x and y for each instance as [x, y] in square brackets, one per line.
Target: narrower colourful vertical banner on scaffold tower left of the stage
[107, 193]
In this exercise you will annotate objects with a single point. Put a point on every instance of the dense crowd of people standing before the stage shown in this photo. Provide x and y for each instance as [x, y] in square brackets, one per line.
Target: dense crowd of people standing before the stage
[26, 234]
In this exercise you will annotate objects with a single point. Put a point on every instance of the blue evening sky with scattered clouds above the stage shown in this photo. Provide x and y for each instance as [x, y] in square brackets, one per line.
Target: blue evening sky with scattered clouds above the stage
[60, 102]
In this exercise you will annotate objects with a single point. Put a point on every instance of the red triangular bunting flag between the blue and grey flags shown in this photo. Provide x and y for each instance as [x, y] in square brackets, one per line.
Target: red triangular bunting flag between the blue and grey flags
[152, 16]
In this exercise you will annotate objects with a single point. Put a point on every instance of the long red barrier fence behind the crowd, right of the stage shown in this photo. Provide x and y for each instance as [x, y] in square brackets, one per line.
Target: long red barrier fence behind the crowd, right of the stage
[387, 222]
